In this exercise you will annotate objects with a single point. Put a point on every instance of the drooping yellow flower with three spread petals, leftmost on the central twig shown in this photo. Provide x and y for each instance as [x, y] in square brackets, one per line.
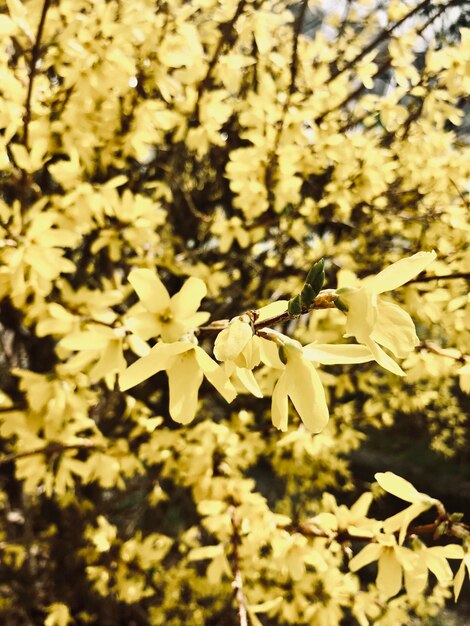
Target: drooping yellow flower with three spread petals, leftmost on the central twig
[186, 364]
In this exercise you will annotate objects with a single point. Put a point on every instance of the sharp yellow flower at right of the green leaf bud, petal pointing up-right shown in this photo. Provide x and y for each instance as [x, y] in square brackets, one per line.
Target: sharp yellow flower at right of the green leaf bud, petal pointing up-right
[375, 322]
